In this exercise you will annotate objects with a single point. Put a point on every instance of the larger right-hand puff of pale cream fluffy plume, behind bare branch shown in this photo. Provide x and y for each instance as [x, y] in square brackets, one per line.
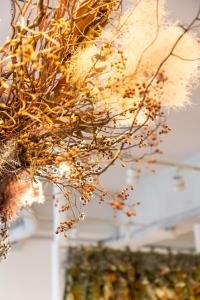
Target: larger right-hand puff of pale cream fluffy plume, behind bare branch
[155, 46]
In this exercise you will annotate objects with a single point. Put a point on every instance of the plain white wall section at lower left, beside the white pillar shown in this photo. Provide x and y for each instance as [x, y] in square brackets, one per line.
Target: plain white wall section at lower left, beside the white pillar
[26, 275]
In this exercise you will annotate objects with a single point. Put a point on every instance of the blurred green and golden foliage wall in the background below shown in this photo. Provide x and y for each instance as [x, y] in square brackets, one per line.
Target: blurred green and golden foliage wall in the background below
[105, 274]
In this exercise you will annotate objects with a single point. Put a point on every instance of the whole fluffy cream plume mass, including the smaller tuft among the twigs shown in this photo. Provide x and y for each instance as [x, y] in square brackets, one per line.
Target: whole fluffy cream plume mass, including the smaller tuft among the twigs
[156, 53]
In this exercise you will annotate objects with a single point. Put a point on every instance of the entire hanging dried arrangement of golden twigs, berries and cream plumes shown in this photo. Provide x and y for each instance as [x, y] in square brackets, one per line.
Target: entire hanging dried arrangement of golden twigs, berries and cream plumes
[80, 83]
